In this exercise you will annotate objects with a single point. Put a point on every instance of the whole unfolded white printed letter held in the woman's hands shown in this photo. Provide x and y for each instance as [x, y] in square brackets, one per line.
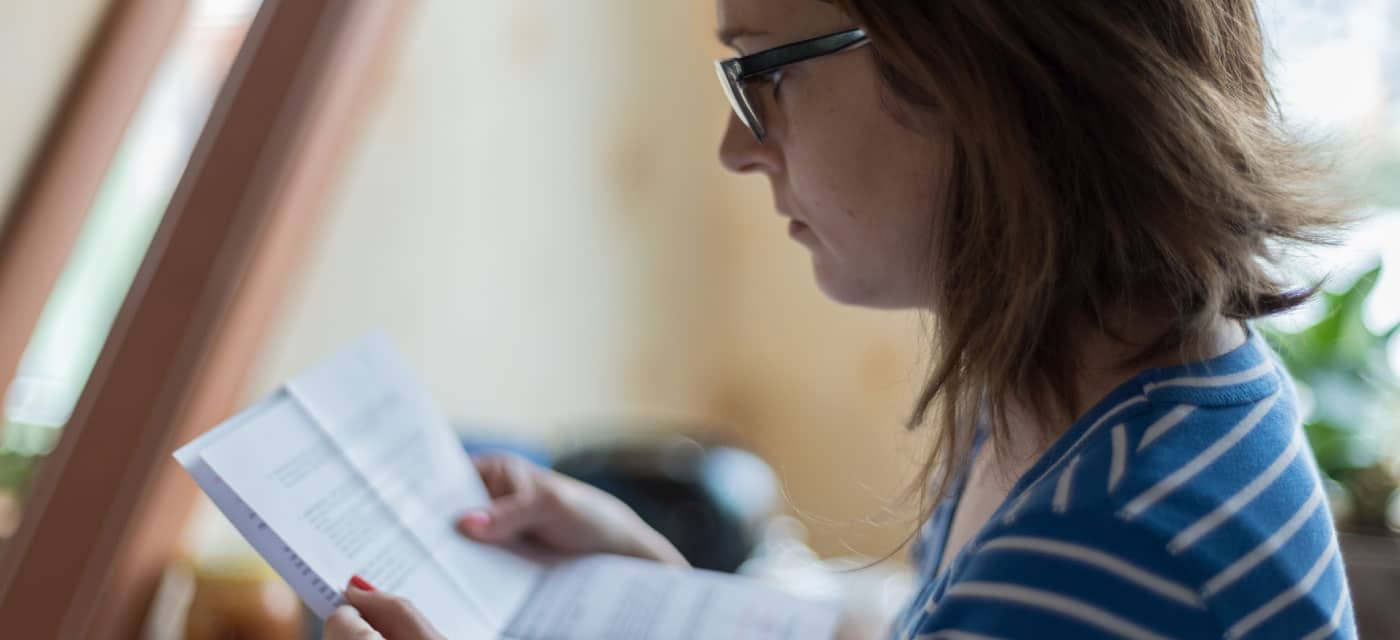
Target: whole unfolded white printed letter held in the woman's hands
[352, 470]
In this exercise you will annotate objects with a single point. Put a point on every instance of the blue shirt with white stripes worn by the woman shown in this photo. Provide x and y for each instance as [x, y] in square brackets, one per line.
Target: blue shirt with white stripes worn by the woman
[1185, 505]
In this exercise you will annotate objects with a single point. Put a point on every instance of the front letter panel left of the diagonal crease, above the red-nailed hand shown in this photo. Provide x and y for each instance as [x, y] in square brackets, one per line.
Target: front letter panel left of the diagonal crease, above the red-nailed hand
[303, 488]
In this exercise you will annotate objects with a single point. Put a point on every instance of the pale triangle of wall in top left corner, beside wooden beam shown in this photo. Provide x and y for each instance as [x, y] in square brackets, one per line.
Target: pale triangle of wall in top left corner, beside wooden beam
[41, 44]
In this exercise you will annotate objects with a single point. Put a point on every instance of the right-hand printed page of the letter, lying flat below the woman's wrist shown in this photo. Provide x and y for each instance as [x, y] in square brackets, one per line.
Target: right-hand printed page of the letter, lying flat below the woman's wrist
[622, 599]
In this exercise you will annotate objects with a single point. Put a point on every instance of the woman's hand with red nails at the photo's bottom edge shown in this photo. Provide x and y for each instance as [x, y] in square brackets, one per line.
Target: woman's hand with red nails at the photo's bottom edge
[374, 615]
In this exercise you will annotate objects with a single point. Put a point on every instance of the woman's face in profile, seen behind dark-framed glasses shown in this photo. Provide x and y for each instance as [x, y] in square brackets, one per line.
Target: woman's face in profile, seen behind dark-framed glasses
[859, 187]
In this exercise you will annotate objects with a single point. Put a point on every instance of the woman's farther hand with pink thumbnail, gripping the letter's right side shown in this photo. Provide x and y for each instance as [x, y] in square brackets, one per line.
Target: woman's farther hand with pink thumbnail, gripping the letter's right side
[561, 515]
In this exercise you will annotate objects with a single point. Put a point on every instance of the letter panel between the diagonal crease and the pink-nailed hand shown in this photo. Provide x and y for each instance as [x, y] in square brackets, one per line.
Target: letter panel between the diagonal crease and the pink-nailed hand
[390, 431]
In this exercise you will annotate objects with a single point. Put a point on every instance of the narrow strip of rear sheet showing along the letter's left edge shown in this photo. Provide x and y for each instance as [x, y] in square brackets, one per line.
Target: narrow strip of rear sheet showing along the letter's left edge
[321, 597]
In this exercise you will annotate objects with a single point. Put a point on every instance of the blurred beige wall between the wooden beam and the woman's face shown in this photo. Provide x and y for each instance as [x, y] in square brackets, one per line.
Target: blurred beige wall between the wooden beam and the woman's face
[537, 218]
